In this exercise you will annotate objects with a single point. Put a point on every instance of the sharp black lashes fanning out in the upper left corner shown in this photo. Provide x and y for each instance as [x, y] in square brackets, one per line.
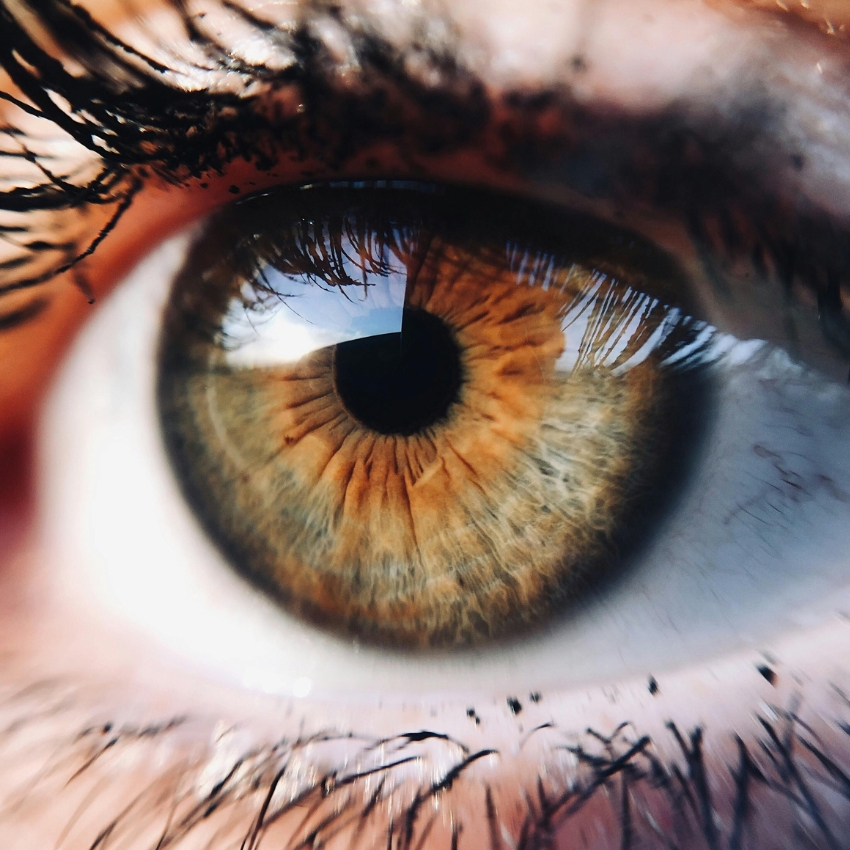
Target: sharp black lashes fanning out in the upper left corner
[152, 125]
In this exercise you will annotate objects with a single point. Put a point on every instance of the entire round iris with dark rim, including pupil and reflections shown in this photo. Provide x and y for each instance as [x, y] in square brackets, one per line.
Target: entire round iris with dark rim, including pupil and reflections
[426, 416]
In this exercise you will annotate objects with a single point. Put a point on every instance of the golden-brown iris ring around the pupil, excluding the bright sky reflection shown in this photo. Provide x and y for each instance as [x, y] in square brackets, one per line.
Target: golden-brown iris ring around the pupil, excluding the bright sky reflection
[467, 526]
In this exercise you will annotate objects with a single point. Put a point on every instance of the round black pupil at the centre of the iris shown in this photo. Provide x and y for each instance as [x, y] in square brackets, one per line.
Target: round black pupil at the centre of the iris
[403, 382]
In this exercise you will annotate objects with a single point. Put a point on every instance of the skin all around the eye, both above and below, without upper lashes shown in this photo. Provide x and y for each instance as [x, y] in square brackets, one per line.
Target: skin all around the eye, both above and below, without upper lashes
[111, 740]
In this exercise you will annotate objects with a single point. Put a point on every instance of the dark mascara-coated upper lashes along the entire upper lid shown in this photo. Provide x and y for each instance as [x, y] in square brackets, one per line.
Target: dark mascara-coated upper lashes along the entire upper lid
[126, 110]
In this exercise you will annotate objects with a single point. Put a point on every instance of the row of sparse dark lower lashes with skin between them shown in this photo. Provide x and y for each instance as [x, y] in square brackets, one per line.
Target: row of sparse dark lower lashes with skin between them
[627, 787]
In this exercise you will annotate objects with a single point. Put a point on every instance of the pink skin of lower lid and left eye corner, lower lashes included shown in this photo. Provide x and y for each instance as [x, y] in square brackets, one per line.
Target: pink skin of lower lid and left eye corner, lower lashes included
[87, 711]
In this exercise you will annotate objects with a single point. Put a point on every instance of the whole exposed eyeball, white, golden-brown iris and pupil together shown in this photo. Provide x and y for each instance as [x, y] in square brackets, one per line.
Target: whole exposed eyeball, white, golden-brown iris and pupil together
[671, 474]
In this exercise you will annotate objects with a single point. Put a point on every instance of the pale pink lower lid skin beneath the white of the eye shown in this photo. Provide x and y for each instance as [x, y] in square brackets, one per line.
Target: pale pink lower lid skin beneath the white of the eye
[106, 676]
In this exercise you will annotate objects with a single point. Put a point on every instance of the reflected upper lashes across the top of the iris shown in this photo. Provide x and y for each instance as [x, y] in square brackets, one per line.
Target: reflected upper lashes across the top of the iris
[323, 251]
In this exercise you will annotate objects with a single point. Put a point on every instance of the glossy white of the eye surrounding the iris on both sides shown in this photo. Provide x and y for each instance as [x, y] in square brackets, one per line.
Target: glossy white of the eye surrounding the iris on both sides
[757, 544]
